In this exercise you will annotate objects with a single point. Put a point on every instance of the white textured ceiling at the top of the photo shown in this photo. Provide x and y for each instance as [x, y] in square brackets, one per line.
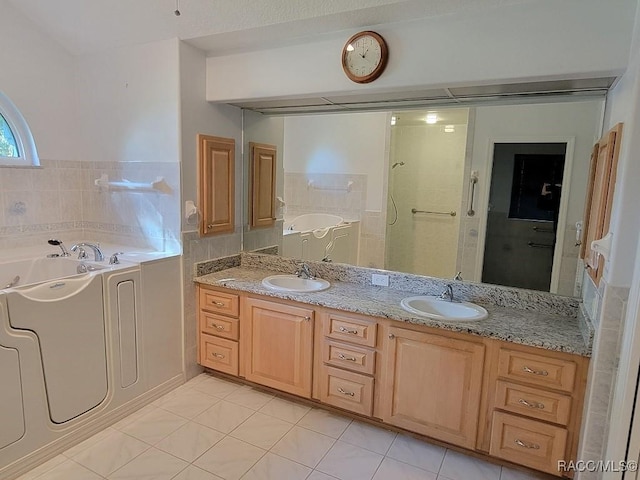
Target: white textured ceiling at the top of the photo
[222, 26]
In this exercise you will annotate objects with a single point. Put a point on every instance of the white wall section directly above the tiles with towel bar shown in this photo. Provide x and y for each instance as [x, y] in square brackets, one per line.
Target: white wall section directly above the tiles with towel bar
[129, 104]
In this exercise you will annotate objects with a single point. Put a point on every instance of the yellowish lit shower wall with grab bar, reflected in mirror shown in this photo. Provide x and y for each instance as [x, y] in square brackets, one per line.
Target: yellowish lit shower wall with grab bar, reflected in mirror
[430, 179]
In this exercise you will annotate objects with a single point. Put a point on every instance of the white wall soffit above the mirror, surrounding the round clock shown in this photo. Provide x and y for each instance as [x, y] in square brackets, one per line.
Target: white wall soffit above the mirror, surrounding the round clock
[526, 41]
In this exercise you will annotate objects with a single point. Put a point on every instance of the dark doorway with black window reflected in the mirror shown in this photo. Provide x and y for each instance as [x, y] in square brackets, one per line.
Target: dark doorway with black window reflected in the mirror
[522, 218]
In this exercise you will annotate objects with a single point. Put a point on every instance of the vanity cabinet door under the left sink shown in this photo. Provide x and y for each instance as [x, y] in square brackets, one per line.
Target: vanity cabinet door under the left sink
[277, 344]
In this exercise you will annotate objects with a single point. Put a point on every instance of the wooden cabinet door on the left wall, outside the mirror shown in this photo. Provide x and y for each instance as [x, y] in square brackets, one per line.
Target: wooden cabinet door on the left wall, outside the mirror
[216, 184]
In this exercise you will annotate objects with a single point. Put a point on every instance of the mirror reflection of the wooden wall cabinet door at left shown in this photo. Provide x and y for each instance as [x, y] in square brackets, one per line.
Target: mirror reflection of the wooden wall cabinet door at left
[263, 185]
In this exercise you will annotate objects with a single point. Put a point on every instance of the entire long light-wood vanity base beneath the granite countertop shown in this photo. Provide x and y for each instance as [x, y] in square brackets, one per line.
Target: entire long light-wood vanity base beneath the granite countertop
[514, 402]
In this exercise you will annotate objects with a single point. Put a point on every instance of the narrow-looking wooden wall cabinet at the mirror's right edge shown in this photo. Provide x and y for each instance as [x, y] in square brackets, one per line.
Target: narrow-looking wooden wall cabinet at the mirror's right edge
[602, 179]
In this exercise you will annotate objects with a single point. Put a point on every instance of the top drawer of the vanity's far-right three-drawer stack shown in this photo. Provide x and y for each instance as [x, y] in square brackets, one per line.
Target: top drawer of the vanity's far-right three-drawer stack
[537, 369]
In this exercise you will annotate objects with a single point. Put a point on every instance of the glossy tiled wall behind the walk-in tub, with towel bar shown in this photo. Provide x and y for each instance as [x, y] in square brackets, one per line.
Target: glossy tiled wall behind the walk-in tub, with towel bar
[60, 200]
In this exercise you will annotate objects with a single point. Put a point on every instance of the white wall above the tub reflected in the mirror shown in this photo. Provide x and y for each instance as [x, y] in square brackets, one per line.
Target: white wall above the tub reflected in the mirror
[340, 144]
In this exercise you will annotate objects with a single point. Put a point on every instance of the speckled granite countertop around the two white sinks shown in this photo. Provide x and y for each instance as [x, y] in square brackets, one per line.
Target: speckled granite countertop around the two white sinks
[526, 327]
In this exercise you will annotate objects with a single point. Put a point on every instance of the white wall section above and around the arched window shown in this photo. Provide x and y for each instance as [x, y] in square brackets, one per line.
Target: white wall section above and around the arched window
[38, 75]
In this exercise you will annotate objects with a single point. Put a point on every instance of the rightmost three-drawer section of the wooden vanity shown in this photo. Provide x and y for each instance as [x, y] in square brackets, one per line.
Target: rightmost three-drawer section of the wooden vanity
[536, 406]
